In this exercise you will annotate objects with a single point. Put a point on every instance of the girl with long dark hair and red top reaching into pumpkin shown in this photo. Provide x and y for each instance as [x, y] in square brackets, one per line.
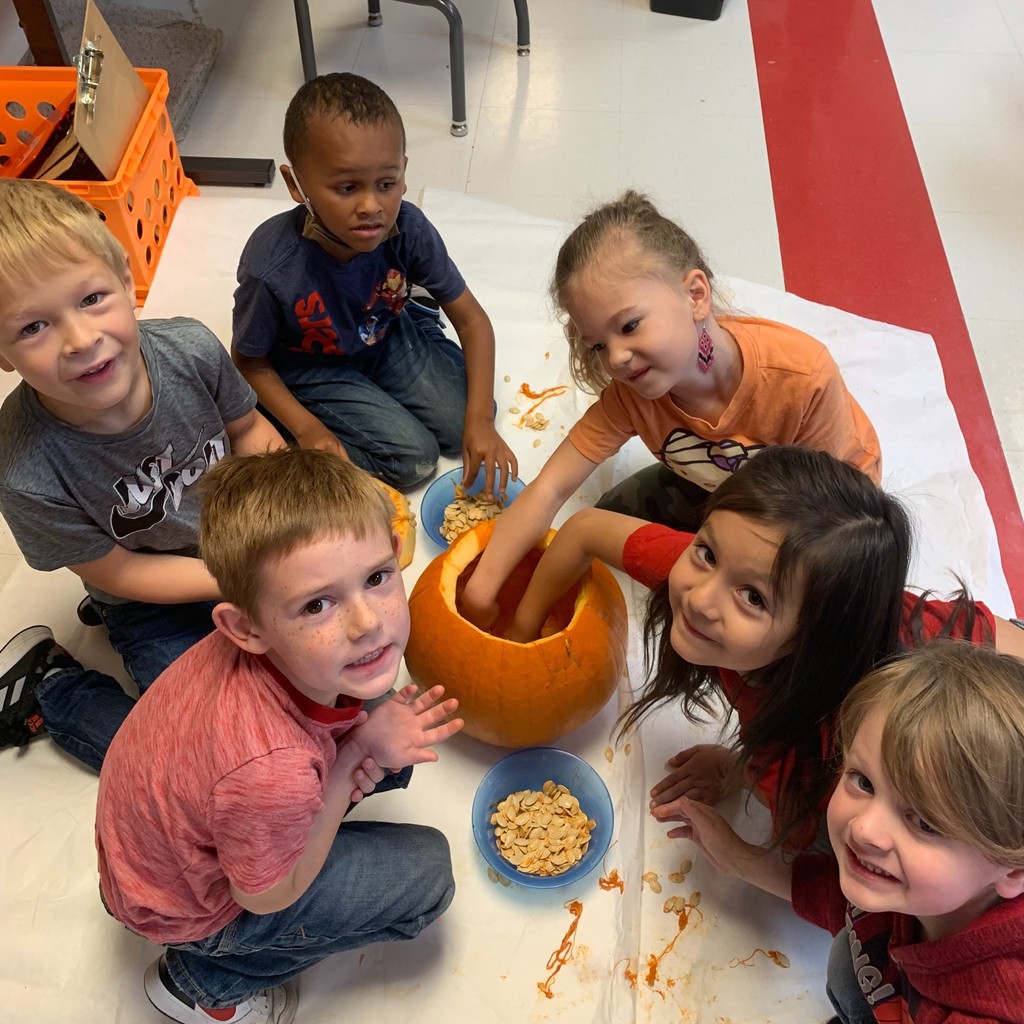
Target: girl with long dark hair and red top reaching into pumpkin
[792, 590]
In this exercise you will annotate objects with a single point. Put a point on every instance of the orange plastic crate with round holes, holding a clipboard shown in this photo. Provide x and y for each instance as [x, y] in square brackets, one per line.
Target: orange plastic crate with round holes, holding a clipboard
[140, 204]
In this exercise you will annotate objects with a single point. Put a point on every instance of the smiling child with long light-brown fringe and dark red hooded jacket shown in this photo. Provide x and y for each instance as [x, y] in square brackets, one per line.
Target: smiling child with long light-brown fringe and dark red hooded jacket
[924, 893]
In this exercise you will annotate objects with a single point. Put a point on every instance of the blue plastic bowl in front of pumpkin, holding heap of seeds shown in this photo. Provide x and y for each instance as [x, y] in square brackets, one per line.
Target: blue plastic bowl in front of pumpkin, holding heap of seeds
[530, 770]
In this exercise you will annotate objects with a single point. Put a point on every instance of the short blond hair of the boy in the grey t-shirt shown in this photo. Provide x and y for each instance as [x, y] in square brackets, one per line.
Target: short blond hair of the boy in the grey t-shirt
[47, 228]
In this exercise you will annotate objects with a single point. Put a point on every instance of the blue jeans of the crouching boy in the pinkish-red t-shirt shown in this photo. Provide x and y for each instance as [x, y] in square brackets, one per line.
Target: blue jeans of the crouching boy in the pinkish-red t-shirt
[381, 882]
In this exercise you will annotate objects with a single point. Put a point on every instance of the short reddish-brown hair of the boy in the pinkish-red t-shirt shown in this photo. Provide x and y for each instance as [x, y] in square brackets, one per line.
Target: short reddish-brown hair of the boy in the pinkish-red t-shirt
[261, 507]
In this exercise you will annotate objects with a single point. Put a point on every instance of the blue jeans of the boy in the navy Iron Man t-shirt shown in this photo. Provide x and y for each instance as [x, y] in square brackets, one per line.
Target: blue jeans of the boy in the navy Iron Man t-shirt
[397, 407]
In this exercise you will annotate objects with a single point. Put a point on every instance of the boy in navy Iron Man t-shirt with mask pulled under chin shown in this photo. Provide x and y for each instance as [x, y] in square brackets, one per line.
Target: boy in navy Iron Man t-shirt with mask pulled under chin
[324, 328]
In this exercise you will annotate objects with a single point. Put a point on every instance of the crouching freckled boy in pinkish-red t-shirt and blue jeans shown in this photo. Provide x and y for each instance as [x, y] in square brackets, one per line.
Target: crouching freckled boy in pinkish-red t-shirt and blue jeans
[220, 818]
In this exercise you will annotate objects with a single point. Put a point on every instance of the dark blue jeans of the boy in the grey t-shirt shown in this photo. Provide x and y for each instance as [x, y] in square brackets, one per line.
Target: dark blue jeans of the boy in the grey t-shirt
[83, 709]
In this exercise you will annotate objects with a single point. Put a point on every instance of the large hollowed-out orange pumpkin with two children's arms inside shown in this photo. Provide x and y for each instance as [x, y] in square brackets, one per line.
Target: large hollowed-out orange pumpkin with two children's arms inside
[515, 695]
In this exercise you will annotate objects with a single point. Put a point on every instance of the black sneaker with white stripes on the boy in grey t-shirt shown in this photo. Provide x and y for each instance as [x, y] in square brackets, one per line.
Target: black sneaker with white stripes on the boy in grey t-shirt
[25, 662]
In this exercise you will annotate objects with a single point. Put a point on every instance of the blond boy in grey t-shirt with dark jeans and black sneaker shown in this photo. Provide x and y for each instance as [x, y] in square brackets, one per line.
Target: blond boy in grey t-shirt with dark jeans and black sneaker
[102, 444]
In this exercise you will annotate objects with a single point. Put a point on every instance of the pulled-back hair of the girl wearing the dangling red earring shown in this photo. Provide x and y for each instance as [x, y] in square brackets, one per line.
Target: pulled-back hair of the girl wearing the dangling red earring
[632, 240]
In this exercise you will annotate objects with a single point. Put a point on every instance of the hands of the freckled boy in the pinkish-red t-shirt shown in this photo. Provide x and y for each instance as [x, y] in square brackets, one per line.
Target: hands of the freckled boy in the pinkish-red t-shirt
[401, 732]
